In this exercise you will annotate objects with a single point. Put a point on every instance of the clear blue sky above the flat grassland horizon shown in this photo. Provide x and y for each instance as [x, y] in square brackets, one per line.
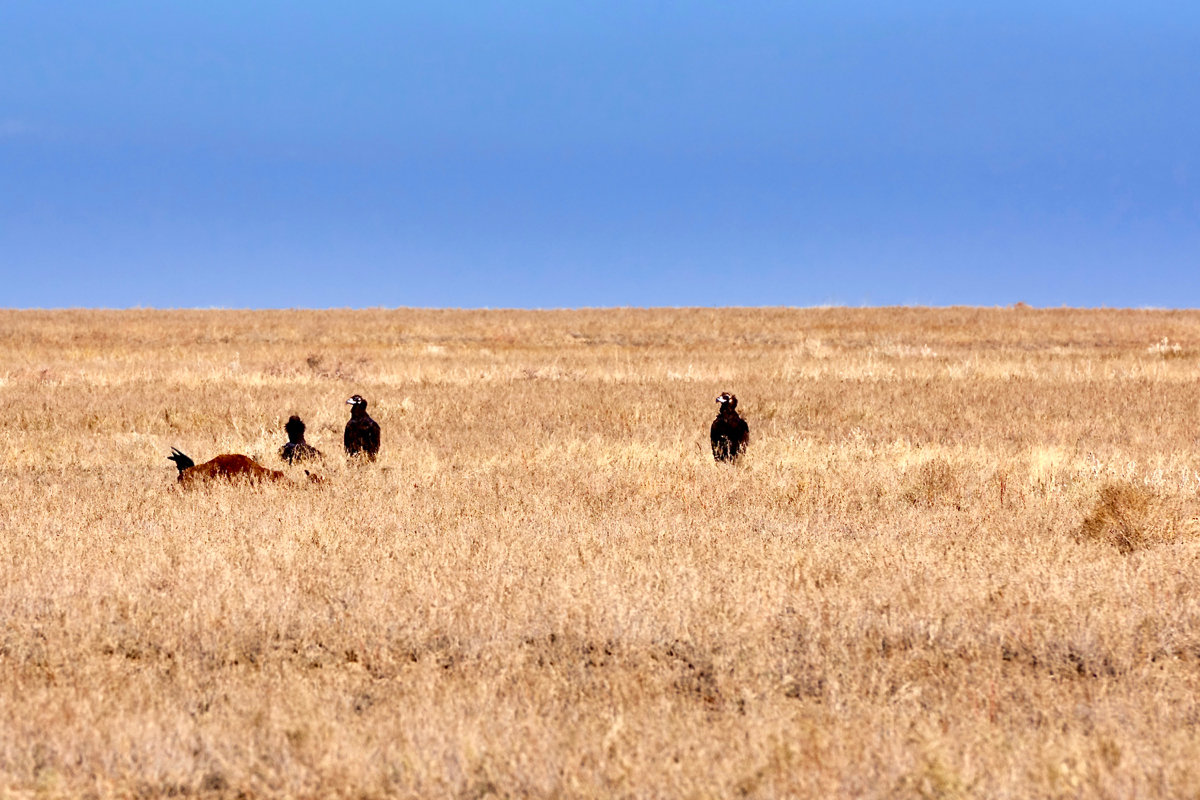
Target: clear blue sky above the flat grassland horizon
[554, 154]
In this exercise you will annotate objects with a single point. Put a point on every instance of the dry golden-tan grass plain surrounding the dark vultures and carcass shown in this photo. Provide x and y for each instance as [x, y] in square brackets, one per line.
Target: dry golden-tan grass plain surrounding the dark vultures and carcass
[962, 557]
